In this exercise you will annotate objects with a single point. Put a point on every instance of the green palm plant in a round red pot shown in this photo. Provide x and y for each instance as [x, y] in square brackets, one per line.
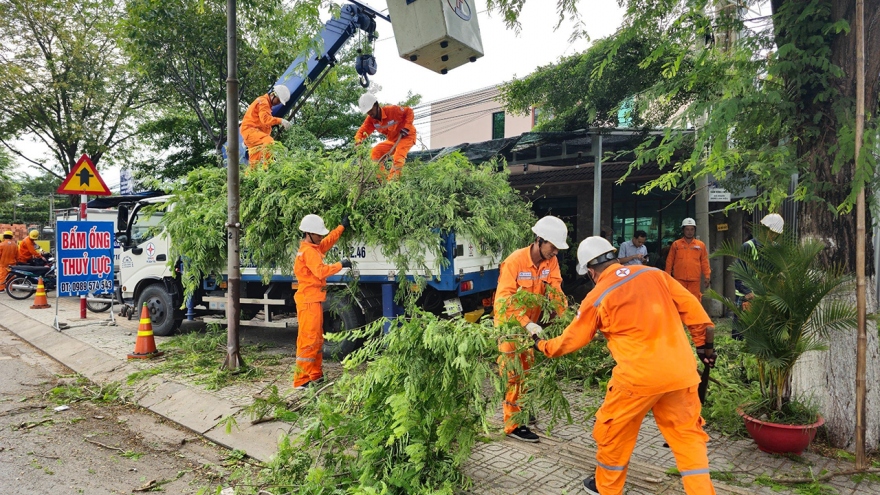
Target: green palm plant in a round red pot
[797, 304]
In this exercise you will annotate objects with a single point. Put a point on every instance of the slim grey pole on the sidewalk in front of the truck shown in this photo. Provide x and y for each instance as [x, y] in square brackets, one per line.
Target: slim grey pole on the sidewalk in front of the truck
[233, 258]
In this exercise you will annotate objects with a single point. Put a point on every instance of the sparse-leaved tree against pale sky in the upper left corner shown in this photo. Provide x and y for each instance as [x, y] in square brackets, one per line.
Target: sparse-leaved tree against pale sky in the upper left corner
[63, 81]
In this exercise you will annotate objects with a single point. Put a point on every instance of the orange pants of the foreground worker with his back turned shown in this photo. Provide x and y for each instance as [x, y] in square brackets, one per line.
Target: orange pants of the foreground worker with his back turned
[677, 414]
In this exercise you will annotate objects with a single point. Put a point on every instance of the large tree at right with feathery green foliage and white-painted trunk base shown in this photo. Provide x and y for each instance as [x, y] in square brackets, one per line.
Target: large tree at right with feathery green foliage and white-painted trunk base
[776, 100]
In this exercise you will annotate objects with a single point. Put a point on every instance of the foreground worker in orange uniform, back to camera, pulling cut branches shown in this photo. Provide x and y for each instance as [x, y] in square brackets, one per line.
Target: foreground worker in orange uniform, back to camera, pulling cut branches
[640, 311]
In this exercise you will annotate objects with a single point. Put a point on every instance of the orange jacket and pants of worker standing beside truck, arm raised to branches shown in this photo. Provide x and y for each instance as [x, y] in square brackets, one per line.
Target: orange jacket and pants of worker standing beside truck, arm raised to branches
[311, 275]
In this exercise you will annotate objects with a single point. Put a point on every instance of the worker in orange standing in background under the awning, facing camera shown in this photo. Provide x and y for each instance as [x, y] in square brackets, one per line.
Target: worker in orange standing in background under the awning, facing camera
[688, 260]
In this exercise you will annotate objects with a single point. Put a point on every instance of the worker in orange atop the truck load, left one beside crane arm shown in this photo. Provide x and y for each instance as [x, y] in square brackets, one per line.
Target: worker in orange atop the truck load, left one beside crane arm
[256, 126]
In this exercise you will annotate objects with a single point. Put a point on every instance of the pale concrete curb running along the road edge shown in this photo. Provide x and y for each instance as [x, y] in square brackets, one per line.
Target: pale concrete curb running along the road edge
[185, 405]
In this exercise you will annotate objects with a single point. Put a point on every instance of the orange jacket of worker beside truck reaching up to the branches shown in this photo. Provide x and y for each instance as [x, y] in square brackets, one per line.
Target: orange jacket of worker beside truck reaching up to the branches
[310, 270]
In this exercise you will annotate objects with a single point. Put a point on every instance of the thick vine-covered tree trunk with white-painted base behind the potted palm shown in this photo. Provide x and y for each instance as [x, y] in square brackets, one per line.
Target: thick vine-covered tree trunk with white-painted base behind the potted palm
[828, 377]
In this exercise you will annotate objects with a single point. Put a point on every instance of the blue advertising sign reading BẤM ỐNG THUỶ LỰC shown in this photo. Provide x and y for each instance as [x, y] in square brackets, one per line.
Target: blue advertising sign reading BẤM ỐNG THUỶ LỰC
[85, 258]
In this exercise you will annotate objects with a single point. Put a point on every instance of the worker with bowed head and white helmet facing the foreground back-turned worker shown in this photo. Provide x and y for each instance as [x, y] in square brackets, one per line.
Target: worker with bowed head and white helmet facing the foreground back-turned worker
[531, 269]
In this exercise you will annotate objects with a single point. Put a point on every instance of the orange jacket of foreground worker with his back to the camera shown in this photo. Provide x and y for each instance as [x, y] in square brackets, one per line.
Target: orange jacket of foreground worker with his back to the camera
[640, 311]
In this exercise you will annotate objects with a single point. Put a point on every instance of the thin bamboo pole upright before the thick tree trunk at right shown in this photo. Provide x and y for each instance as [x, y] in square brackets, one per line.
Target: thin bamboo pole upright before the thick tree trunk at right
[862, 346]
